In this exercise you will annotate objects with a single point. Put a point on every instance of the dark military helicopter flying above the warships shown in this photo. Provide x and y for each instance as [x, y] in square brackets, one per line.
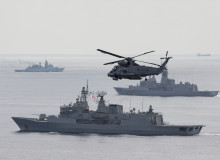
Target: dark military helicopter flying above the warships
[127, 67]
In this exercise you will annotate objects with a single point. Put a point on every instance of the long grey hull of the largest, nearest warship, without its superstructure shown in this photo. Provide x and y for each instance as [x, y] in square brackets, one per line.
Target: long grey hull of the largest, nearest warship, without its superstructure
[67, 126]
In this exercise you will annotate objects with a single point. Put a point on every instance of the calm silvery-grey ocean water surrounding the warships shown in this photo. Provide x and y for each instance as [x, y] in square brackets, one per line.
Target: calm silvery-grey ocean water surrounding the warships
[29, 94]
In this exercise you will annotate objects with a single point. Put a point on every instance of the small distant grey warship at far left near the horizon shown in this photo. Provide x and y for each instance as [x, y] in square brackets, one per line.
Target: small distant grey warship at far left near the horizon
[39, 68]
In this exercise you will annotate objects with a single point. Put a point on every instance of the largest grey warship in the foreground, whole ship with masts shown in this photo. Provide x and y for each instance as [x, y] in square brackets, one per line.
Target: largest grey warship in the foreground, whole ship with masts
[107, 119]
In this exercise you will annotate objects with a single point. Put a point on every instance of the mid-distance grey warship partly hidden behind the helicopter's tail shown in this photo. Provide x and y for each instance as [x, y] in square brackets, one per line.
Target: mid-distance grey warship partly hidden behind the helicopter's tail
[166, 88]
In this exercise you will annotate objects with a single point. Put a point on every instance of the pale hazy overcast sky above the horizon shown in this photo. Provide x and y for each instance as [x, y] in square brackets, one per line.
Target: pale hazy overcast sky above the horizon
[120, 26]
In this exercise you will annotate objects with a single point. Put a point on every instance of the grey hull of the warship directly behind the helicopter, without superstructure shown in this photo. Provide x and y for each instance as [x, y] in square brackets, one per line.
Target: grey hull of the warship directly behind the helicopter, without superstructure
[162, 93]
